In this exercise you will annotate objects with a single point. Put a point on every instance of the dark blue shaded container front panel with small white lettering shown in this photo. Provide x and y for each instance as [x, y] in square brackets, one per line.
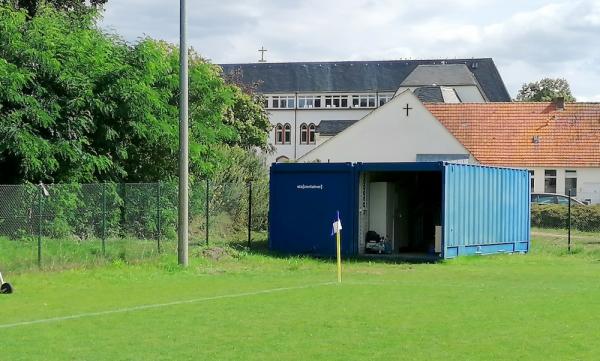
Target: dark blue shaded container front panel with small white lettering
[304, 199]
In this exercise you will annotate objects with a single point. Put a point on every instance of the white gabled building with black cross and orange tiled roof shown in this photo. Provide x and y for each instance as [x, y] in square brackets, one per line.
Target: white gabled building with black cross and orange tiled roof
[559, 143]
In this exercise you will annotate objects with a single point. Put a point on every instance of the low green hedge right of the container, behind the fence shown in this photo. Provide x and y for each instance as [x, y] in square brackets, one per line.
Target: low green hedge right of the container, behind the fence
[583, 218]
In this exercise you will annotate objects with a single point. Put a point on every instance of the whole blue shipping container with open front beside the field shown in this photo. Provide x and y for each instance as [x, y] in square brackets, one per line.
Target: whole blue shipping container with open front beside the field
[422, 209]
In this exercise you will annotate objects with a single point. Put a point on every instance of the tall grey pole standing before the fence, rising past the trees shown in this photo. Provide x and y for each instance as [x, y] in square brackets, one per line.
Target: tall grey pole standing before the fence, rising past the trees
[182, 246]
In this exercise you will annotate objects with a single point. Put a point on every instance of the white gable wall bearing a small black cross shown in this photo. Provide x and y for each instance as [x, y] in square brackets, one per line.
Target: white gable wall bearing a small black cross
[388, 135]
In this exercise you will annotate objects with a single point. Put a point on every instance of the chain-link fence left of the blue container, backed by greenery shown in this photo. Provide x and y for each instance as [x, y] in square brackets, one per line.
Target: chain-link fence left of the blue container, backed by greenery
[62, 224]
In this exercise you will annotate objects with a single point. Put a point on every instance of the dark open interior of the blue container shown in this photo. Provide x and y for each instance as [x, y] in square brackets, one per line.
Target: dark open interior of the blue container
[399, 212]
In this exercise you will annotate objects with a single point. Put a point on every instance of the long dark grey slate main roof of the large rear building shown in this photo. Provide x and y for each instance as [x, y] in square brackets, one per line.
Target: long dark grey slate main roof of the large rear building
[357, 76]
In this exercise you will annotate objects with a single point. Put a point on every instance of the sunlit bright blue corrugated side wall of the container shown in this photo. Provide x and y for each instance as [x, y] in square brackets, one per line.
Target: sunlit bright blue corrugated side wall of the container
[486, 210]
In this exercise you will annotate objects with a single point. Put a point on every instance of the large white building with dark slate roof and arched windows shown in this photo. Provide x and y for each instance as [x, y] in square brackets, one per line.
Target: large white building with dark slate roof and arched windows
[310, 102]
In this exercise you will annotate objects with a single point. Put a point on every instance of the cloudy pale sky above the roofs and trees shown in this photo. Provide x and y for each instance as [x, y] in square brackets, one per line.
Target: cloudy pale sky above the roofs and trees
[528, 39]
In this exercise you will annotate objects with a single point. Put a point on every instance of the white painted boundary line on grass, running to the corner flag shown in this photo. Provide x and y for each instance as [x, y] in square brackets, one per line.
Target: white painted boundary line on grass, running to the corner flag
[159, 305]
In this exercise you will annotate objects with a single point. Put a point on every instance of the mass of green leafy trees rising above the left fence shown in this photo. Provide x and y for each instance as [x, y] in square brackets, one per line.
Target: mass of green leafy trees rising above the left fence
[79, 105]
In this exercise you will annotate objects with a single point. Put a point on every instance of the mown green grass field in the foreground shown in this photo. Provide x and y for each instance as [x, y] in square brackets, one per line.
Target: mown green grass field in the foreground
[251, 306]
